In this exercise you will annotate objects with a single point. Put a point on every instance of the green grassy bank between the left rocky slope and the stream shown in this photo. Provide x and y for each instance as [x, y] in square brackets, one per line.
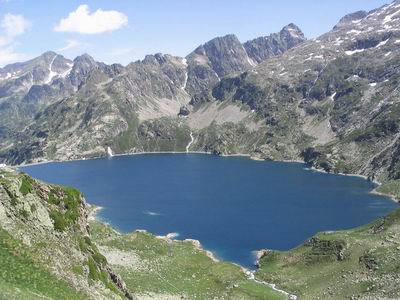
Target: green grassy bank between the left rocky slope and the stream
[178, 268]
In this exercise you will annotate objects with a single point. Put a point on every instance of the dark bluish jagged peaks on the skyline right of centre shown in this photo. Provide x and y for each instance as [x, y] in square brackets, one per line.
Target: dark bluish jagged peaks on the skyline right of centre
[226, 55]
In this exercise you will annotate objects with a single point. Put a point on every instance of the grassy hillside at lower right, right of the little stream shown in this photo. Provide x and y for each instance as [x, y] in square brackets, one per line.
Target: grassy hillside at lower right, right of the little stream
[359, 263]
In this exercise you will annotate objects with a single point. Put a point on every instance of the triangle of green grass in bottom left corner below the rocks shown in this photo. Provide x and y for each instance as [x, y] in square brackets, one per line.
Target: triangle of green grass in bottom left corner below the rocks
[22, 278]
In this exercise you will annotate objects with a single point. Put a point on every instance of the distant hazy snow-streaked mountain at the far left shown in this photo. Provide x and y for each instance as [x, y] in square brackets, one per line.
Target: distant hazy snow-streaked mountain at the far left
[31, 80]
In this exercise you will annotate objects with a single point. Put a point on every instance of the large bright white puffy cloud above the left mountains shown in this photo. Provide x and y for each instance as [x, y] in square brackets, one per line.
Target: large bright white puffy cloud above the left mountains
[83, 21]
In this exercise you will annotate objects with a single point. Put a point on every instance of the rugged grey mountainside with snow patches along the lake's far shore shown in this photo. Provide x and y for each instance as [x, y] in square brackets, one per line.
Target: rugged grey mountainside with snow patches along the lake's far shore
[275, 97]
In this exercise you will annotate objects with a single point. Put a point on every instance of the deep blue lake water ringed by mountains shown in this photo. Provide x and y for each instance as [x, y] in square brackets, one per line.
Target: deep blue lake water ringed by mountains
[233, 205]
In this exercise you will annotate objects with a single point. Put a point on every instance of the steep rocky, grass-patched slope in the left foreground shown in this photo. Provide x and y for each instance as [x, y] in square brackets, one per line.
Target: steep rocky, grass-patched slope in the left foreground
[51, 223]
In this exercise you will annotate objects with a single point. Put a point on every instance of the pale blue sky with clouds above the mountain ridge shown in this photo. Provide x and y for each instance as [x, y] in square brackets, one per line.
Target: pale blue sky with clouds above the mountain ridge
[122, 31]
